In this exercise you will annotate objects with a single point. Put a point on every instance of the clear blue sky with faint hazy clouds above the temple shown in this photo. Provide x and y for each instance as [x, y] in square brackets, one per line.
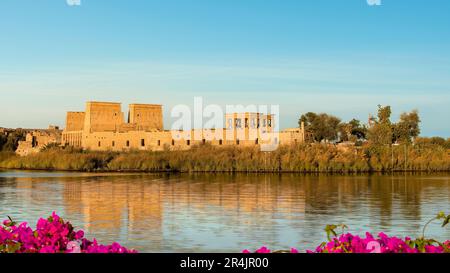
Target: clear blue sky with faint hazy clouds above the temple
[342, 57]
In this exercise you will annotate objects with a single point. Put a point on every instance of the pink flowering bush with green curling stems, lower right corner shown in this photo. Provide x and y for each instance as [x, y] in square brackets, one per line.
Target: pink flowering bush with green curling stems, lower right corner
[349, 243]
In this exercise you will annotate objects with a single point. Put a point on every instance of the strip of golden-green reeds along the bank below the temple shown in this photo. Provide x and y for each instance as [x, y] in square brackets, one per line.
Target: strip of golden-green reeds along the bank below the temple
[305, 158]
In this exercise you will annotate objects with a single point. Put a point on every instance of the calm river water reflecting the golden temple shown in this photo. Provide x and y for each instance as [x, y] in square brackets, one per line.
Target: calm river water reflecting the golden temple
[226, 213]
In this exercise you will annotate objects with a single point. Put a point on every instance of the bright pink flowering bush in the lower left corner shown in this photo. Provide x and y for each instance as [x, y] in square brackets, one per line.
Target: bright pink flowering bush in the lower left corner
[52, 235]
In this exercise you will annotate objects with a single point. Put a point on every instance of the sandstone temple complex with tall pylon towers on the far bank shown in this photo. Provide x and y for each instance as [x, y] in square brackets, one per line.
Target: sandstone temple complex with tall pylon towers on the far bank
[103, 127]
